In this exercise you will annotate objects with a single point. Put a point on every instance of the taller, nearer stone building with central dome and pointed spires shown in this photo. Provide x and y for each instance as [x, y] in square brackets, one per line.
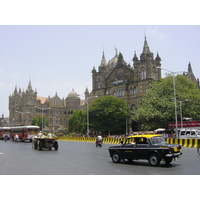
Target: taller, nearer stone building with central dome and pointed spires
[119, 79]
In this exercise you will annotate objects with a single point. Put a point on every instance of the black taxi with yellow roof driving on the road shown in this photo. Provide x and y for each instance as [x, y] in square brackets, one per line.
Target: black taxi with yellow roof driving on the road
[151, 147]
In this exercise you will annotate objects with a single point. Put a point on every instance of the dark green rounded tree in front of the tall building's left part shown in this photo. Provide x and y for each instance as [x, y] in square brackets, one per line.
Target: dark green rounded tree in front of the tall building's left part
[108, 114]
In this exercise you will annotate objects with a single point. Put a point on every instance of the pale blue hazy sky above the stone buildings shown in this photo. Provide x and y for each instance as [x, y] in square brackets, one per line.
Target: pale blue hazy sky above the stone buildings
[59, 58]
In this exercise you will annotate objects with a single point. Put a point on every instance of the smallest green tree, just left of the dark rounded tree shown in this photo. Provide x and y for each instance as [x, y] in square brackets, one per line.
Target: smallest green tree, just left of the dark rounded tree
[77, 122]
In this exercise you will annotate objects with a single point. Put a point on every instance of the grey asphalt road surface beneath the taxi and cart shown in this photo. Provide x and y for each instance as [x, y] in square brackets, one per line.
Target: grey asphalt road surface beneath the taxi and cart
[83, 158]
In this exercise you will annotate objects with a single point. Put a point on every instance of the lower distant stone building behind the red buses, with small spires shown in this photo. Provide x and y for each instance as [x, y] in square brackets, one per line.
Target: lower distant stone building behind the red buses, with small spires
[23, 106]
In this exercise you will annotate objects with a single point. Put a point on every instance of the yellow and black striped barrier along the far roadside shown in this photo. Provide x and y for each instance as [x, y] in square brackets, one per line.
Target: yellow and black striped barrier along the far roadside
[193, 143]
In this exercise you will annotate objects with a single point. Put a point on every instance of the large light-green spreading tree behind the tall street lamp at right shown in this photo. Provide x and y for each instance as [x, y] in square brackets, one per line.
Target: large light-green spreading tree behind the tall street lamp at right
[157, 108]
